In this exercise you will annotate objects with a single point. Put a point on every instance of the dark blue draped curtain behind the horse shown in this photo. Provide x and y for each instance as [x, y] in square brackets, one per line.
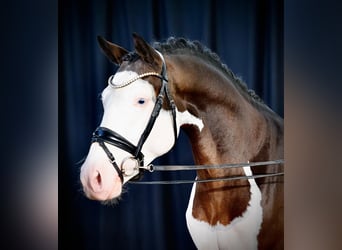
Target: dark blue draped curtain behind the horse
[248, 37]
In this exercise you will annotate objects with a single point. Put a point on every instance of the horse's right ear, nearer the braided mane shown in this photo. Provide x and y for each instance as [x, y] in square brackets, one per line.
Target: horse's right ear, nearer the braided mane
[145, 51]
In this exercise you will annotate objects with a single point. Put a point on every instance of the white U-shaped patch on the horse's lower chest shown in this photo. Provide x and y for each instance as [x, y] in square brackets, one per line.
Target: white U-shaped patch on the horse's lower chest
[241, 233]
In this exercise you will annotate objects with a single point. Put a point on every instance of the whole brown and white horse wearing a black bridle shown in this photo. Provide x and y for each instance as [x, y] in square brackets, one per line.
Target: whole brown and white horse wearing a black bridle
[163, 87]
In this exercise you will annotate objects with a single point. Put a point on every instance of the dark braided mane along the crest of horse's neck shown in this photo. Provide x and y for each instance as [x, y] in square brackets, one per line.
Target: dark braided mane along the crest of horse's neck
[180, 45]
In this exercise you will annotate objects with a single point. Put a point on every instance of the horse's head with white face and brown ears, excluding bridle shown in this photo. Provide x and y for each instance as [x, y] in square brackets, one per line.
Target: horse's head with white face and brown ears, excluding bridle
[127, 111]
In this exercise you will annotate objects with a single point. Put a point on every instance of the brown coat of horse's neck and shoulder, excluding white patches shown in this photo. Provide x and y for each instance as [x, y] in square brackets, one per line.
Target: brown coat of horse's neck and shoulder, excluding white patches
[237, 128]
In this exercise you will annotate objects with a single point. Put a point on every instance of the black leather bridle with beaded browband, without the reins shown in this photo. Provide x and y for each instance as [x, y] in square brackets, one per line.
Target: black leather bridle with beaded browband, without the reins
[104, 135]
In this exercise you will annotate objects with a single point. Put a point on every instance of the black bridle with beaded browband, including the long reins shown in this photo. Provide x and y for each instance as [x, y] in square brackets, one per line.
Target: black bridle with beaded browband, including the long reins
[104, 135]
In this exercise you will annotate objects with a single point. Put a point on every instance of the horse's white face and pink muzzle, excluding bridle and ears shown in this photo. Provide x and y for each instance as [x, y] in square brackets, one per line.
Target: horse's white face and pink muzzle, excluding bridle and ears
[127, 111]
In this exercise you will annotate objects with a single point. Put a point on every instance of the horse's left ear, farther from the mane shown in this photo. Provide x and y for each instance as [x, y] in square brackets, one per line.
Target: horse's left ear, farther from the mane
[112, 51]
